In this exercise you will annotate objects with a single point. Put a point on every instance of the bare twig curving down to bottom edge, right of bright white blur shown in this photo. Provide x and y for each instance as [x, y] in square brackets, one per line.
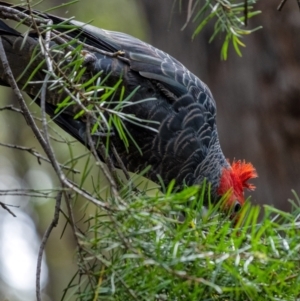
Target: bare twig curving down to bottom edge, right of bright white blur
[52, 225]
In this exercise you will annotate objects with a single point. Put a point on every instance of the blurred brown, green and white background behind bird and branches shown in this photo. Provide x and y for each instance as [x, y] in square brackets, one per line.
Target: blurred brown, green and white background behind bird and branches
[258, 99]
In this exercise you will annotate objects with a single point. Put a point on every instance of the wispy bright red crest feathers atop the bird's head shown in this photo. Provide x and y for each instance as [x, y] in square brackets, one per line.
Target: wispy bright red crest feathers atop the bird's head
[244, 171]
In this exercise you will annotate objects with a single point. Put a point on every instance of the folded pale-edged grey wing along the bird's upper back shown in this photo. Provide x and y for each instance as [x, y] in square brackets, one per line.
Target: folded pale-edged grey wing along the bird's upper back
[151, 63]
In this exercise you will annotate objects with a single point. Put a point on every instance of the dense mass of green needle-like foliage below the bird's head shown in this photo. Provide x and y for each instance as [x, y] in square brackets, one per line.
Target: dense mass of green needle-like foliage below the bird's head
[139, 250]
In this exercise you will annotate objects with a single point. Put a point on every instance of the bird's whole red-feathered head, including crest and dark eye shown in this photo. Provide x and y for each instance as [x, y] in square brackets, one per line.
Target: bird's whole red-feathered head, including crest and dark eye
[234, 179]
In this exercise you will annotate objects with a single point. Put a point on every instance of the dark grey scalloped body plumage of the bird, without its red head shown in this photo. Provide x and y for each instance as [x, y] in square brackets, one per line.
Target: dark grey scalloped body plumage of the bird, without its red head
[186, 145]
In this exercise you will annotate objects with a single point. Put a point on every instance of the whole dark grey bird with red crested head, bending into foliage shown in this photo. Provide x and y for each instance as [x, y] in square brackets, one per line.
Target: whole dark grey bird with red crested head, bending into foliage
[178, 137]
